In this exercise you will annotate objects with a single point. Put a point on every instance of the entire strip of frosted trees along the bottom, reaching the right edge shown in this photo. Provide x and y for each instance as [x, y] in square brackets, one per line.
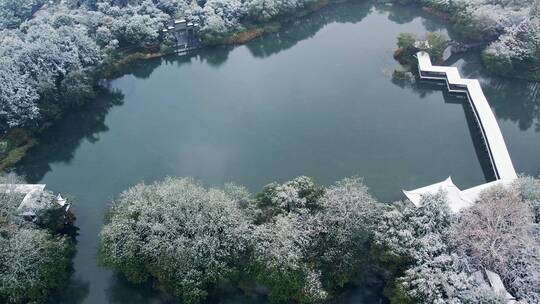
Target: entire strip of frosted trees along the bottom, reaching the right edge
[303, 242]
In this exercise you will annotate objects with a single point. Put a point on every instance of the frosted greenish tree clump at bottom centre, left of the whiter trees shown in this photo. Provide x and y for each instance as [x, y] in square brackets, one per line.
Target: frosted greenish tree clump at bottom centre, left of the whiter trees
[299, 240]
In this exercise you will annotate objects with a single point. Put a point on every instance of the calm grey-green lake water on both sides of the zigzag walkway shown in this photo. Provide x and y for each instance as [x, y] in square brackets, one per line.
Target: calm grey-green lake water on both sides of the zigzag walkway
[316, 99]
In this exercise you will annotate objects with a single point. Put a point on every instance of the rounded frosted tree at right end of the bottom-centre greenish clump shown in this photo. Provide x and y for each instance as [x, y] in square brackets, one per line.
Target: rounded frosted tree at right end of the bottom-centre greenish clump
[345, 223]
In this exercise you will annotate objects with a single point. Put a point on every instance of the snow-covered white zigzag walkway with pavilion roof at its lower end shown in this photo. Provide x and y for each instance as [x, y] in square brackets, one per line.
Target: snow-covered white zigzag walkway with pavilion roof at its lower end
[500, 160]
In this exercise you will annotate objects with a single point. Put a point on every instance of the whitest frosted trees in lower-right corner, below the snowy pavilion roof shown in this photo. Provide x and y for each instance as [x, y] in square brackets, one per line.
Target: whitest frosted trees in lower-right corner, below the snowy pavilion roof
[434, 253]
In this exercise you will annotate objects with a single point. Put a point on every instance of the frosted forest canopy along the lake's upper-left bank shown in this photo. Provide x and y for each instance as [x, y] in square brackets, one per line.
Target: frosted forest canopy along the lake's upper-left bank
[52, 53]
